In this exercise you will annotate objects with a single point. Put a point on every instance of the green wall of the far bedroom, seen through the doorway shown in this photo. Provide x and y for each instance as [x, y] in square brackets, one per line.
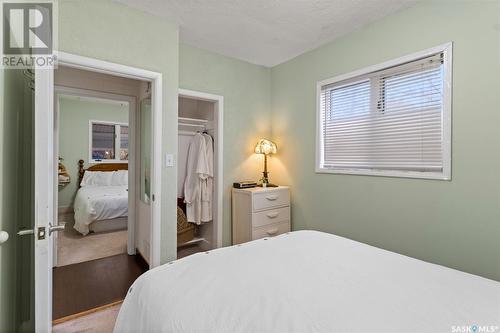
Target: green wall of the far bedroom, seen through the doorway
[74, 117]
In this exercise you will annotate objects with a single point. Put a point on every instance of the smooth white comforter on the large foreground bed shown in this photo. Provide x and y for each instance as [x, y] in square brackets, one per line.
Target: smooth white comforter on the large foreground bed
[307, 281]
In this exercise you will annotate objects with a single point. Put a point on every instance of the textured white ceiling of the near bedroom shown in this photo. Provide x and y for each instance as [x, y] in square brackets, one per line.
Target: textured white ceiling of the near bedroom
[266, 32]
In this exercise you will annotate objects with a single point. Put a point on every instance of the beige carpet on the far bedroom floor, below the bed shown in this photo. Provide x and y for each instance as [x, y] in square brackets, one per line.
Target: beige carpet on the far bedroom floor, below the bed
[73, 248]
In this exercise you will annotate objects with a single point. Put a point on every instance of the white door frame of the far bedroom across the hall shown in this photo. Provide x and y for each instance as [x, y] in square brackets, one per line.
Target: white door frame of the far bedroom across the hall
[60, 90]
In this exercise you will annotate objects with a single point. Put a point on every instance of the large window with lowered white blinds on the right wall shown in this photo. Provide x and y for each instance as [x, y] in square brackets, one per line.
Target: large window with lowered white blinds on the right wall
[392, 120]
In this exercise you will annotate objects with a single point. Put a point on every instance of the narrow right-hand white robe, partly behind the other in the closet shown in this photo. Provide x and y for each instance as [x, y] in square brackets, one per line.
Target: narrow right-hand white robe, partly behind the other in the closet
[208, 181]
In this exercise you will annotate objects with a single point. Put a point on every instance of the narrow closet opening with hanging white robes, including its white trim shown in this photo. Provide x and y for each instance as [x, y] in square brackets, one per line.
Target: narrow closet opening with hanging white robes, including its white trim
[199, 183]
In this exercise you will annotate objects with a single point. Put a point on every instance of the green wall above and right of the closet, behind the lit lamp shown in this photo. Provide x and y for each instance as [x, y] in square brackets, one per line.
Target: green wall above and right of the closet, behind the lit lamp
[246, 90]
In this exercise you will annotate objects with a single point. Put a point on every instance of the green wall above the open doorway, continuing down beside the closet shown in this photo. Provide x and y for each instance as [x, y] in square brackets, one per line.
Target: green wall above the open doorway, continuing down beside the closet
[113, 32]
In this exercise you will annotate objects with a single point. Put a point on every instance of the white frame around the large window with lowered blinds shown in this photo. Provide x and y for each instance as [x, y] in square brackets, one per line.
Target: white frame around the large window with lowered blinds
[445, 174]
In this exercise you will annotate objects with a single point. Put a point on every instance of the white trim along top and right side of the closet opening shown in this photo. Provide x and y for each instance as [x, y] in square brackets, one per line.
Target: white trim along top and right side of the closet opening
[219, 110]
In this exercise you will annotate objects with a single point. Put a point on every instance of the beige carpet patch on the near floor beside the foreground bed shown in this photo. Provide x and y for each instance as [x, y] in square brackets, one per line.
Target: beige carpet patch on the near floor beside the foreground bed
[102, 321]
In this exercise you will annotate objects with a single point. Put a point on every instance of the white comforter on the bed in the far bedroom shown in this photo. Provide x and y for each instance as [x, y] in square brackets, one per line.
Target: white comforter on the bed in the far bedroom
[95, 203]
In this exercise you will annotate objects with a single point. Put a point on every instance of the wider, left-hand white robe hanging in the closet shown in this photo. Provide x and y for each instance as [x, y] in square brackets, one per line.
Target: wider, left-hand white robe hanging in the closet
[197, 170]
